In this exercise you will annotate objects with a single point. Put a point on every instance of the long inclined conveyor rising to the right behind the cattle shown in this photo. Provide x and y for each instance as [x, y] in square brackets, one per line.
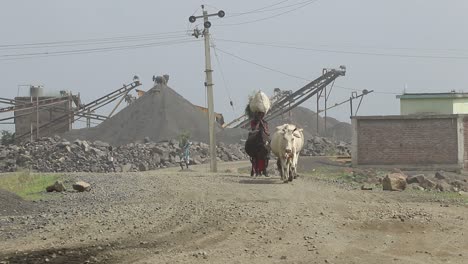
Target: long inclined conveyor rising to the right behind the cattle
[284, 101]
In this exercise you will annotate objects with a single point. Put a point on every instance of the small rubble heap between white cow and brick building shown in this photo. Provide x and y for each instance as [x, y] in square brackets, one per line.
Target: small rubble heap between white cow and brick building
[320, 146]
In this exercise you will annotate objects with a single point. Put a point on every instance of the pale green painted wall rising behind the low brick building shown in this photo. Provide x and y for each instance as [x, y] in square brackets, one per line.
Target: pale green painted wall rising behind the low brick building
[429, 105]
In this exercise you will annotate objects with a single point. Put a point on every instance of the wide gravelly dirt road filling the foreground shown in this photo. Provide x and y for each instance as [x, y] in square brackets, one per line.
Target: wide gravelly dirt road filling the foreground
[169, 216]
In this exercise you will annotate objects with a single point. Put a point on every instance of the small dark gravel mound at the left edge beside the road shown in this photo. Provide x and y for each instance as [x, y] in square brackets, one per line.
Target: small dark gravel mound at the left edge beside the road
[12, 204]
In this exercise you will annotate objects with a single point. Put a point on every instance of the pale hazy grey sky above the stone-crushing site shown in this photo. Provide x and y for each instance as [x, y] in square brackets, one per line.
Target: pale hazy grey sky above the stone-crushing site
[385, 45]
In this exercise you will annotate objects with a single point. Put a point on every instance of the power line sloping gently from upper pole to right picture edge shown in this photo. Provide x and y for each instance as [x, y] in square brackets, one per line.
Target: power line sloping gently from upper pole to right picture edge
[345, 52]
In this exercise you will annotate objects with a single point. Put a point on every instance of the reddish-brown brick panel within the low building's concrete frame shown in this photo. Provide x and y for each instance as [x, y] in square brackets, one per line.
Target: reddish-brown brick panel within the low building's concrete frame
[407, 141]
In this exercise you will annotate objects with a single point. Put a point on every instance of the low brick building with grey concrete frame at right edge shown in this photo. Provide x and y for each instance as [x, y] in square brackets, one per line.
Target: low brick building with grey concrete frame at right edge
[411, 141]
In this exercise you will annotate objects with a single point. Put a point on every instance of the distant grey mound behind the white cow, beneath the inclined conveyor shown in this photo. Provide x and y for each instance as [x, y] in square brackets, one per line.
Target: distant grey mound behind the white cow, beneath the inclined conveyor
[307, 119]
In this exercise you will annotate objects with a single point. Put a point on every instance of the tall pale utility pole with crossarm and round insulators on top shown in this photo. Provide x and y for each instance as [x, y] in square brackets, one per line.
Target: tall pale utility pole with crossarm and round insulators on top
[209, 80]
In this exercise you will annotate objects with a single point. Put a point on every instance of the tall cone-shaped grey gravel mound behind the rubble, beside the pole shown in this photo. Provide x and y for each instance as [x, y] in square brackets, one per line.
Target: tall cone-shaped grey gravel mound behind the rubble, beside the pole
[161, 114]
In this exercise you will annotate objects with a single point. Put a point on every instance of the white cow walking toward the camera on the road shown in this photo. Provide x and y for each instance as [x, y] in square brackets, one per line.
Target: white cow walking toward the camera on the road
[286, 144]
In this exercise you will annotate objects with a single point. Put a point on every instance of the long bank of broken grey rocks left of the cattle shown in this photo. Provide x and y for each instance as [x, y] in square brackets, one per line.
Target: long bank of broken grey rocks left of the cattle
[58, 155]
